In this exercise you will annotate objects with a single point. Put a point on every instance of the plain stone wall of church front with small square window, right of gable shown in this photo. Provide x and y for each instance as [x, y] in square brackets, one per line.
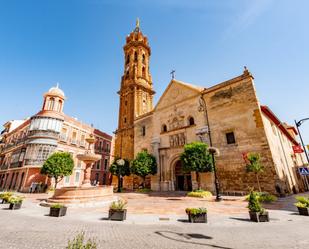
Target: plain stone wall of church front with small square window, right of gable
[233, 107]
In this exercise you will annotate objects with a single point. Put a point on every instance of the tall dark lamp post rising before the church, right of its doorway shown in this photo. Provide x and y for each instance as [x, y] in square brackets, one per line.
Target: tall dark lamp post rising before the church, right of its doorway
[212, 150]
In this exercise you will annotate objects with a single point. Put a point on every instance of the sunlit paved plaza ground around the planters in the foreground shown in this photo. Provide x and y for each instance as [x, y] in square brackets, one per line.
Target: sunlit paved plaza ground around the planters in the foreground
[156, 221]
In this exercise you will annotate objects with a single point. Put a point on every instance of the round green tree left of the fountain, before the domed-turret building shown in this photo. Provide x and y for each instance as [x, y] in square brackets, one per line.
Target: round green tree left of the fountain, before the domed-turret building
[57, 166]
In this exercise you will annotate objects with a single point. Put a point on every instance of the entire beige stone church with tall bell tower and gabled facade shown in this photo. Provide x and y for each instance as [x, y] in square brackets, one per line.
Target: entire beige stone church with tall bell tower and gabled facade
[228, 113]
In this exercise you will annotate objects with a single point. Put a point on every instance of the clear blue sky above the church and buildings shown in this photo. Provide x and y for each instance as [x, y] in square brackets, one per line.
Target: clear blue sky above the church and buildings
[78, 43]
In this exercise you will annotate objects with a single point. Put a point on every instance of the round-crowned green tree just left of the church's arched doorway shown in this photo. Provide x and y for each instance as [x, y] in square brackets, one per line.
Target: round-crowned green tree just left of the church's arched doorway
[144, 164]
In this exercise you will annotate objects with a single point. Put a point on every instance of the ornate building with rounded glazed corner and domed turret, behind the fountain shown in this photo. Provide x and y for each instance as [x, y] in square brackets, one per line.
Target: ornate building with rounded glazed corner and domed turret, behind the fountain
[26, 144]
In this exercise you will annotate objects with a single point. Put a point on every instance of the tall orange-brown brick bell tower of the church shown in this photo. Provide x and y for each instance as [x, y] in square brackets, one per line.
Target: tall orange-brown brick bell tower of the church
[136, 92]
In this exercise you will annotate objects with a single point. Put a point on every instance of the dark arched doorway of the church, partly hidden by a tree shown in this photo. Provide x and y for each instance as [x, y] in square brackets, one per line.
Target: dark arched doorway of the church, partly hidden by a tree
[183, 179]
